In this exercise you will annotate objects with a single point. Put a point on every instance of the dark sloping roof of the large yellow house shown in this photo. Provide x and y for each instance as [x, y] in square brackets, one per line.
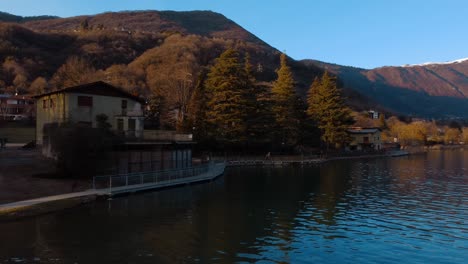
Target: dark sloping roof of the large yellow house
[96, 88]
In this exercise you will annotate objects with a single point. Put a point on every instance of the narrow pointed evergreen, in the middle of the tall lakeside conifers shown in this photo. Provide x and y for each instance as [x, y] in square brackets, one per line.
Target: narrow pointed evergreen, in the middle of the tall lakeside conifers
[285, 106]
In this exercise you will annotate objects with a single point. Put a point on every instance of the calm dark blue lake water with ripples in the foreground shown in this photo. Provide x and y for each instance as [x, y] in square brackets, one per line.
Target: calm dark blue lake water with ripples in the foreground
[388, 210]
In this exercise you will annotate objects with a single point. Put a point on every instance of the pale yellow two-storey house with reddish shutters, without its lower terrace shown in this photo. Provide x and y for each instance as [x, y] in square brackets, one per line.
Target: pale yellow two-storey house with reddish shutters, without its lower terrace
[81, 104]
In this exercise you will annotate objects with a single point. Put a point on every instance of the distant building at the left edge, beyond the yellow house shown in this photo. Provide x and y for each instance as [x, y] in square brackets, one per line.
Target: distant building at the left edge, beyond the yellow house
[16, 107]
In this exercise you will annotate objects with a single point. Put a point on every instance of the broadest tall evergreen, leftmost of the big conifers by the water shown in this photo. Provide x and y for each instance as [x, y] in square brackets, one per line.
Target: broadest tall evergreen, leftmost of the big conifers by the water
[228, 94]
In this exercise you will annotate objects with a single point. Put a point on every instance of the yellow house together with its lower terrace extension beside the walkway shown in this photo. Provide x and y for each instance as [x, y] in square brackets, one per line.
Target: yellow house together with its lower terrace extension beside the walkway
[140, 151]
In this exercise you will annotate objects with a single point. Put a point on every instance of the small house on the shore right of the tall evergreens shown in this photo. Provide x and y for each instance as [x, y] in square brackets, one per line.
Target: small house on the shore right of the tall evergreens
[365, 138]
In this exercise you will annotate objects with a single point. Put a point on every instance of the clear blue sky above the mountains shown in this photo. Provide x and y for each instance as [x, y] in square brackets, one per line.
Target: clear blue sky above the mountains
[361, 33]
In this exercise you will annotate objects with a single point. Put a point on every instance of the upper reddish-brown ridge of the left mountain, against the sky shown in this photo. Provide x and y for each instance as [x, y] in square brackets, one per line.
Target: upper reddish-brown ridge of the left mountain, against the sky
[204, 23]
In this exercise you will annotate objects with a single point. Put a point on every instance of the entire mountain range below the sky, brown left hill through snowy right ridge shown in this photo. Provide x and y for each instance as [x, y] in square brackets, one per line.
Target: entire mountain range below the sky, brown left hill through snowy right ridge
[138, 49]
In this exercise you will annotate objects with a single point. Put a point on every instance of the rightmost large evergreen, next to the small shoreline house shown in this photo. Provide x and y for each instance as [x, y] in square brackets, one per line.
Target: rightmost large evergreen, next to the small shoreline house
[327, 109]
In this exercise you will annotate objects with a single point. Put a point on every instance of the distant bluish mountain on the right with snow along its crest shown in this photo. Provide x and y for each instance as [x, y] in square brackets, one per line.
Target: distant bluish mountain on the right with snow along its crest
[437, 90]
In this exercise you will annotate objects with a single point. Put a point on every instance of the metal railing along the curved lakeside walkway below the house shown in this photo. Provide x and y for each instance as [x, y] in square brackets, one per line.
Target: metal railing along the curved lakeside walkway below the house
[209, 170]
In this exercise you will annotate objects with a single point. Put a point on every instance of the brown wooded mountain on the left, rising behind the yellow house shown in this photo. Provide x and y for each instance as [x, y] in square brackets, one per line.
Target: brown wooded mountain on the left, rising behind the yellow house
[138, 44]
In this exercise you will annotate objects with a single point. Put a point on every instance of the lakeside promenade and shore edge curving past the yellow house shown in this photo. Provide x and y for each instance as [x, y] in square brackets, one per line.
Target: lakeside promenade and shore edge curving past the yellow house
[157, 180]
